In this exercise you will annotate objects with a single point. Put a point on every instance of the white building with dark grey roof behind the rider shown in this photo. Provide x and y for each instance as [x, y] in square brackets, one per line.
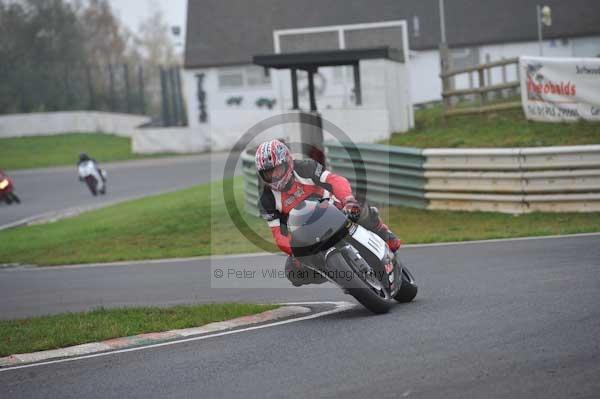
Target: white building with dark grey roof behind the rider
[226, 94]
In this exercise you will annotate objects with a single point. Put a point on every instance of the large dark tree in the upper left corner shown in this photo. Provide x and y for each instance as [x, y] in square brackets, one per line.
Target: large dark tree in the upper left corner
[38, 40]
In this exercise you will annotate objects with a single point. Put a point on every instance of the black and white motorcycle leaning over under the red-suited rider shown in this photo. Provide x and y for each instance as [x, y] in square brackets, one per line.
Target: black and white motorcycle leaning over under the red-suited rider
[347, 254]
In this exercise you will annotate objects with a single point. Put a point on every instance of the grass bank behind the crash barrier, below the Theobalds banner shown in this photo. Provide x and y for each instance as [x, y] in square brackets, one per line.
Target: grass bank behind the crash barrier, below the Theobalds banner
[500, 129]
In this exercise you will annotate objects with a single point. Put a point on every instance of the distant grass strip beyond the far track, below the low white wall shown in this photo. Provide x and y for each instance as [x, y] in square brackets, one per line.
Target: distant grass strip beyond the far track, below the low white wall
[64, 149]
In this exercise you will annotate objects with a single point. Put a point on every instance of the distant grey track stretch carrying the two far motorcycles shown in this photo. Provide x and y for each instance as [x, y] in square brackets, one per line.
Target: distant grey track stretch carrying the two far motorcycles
[44, 191]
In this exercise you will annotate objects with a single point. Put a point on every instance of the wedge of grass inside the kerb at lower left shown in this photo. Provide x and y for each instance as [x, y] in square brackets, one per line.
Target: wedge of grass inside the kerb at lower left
[60, 331]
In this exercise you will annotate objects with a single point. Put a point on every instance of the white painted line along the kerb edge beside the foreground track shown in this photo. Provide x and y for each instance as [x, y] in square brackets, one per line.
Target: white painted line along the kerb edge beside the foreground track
[340, 307]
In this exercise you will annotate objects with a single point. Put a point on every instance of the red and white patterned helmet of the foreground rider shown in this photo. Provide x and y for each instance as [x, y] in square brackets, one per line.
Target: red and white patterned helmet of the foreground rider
[275, 164]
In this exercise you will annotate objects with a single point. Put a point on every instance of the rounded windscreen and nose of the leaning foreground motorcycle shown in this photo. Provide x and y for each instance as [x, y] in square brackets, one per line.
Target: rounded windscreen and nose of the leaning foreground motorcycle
[314, 226]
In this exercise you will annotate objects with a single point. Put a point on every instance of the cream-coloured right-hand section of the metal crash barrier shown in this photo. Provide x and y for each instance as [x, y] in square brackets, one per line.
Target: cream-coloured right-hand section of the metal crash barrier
[519, 180]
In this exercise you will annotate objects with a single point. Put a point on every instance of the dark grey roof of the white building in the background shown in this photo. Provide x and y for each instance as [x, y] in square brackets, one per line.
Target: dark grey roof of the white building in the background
[229, 32]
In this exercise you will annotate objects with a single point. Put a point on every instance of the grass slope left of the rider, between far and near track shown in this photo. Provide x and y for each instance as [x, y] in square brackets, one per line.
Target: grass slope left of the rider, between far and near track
[191, 222]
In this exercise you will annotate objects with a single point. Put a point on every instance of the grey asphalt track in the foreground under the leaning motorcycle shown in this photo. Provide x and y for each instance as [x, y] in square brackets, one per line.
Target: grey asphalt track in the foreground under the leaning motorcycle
[511, 319]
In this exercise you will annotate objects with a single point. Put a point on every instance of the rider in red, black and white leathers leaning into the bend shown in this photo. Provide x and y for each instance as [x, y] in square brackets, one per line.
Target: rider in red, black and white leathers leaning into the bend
[288, 182]
